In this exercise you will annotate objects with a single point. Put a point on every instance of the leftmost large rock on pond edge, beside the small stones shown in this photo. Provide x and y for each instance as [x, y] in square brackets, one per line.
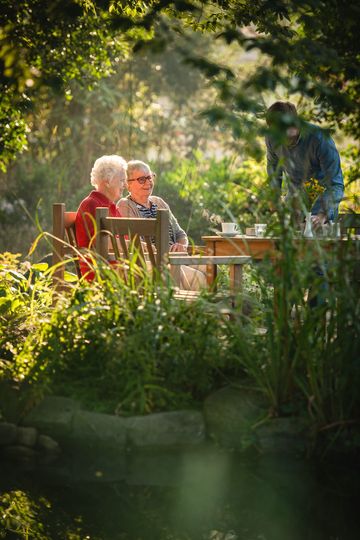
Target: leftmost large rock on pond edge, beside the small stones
[53, 416]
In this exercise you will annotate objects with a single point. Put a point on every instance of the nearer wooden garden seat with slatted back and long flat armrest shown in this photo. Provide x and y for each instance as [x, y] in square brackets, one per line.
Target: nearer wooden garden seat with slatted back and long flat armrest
[154, 233]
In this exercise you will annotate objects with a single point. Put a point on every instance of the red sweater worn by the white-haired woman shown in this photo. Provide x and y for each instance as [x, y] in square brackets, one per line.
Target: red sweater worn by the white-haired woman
[84, 223]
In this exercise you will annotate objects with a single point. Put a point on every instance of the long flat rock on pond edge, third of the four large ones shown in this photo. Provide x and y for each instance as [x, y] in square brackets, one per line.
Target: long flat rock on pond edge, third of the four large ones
[178, 428]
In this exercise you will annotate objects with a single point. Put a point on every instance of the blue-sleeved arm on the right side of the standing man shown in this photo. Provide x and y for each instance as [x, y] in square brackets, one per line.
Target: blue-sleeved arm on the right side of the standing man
[326, 205]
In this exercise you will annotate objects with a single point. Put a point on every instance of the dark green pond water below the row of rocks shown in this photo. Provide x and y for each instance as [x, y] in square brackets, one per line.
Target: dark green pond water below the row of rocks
[200, 494]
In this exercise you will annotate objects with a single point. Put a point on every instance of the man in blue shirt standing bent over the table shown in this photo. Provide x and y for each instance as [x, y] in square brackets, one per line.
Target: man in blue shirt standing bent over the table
[304, 152]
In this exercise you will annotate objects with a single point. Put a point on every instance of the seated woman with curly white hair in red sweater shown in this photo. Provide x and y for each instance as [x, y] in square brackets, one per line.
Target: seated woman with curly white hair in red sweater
[108, 176]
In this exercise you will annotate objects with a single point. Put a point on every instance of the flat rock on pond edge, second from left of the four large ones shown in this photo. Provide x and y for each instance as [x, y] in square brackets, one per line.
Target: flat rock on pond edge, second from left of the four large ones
[99, 429]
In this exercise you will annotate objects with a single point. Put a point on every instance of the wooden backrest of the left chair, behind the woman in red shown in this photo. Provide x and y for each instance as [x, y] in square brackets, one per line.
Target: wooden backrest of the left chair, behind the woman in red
[64, 239]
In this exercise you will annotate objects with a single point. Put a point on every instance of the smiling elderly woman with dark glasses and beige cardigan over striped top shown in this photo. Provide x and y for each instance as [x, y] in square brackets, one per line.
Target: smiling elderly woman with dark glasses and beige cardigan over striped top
[141, 203]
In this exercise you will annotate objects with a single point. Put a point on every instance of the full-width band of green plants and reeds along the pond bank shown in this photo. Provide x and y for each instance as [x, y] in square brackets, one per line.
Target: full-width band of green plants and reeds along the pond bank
[148, 351]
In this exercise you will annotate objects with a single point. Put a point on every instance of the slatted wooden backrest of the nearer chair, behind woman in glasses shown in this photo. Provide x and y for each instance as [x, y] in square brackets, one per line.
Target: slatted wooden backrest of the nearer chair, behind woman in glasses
[124, 232]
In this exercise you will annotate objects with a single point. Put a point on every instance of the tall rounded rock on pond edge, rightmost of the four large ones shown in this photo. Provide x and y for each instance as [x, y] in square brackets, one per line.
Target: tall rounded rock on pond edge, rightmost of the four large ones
[230, 415]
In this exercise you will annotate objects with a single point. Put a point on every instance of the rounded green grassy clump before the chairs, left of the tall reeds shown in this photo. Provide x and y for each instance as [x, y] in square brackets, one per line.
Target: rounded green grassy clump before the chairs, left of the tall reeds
[146, 352]
